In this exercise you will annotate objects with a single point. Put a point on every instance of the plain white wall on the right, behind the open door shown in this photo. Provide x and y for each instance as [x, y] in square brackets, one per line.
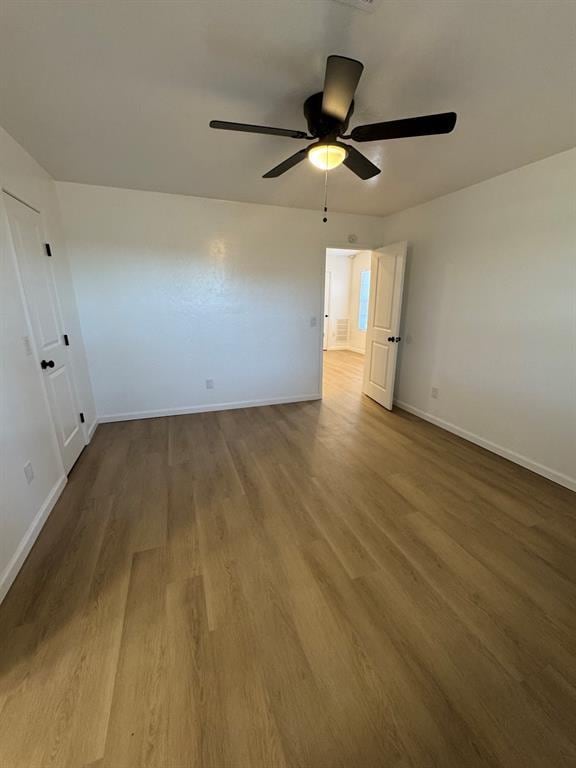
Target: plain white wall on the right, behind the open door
[490, 314]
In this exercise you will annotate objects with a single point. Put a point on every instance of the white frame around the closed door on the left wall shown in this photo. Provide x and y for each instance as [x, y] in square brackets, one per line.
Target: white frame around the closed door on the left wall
[30, 329]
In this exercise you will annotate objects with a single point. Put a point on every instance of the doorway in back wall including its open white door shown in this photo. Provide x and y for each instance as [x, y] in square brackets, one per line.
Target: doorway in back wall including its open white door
[362, 306]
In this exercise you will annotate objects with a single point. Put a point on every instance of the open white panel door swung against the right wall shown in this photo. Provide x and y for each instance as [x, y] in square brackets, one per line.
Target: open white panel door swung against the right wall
[382, 334]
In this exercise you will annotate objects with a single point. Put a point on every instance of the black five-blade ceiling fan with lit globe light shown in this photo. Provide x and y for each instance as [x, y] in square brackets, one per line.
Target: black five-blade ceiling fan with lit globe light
[328, 114]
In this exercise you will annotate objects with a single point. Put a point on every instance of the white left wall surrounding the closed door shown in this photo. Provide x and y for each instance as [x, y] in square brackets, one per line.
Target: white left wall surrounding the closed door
[26, 432]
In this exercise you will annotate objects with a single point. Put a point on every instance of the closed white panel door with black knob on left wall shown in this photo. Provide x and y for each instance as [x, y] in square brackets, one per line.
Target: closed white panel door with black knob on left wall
[35, 268]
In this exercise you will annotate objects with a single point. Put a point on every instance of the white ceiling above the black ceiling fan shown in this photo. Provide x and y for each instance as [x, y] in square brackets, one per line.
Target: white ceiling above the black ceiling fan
[121, 93]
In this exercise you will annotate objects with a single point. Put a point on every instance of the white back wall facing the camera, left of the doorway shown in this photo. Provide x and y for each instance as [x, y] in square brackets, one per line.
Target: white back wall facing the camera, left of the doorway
[175, 290]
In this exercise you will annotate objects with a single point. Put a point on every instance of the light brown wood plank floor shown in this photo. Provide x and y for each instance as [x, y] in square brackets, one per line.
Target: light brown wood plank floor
[318, 585]
